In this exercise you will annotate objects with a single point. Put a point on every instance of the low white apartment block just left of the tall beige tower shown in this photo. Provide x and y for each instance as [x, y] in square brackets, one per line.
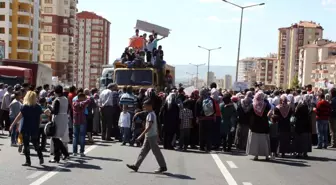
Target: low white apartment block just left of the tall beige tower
[247, 71]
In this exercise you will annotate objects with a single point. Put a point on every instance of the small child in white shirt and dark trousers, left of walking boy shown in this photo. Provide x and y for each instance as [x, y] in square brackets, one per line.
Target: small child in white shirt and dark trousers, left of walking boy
[125, 125]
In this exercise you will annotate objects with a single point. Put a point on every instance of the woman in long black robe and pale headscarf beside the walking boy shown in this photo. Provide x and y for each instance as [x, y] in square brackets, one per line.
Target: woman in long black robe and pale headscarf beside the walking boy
[169, 117]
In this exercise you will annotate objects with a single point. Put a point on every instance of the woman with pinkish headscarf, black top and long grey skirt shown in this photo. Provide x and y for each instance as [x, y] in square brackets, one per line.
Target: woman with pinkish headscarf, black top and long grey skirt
[258, 143]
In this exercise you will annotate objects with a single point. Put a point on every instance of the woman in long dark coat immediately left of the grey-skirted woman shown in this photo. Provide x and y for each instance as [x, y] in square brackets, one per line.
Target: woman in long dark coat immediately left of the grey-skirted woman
[244, 113]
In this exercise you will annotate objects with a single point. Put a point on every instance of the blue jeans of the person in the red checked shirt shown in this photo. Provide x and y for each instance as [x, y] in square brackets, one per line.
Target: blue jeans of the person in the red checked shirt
[79, 137]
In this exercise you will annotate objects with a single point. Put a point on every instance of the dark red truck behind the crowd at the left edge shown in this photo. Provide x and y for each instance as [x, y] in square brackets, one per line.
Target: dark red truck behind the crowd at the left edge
[40, 73]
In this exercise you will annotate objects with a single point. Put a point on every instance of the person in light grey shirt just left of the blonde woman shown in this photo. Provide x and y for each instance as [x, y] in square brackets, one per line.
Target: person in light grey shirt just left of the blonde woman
[14, 110]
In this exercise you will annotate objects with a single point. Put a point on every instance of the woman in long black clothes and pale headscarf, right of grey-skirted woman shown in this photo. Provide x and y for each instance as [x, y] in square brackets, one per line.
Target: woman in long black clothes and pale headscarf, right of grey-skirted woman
[283, 114]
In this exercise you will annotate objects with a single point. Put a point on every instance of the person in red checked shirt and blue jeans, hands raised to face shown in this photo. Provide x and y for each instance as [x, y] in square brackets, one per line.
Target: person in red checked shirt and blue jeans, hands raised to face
[79, 123]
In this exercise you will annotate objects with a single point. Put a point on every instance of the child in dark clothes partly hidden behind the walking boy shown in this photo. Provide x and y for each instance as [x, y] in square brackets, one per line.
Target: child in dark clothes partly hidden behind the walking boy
[138, 126]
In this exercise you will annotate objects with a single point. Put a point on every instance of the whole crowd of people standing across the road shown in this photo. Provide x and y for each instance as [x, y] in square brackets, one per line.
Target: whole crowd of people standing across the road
[262, 123]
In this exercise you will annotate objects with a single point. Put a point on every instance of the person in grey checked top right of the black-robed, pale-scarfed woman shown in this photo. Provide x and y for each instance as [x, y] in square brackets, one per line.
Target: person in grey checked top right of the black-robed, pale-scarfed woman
[186, 116]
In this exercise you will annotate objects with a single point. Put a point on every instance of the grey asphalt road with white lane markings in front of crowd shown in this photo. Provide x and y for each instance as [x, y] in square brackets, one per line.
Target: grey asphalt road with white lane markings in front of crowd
[105, 165]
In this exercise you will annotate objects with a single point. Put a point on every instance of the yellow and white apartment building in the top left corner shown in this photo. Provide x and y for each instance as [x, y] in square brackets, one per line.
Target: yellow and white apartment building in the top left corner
[19, 29]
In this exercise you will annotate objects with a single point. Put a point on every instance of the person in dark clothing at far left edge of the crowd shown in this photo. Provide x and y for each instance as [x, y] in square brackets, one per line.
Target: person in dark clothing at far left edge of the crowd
[6, 100]
